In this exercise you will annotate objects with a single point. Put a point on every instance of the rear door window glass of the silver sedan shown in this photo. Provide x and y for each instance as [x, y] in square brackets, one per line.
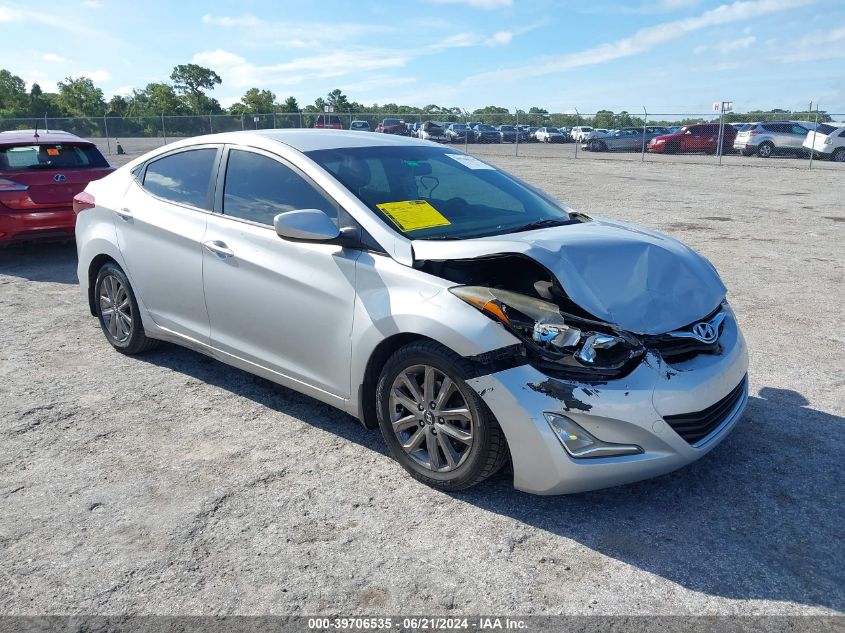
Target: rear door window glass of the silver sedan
[182, 177]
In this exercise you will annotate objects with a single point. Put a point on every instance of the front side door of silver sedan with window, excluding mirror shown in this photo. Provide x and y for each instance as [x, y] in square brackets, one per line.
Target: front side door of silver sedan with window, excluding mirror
[286, 306]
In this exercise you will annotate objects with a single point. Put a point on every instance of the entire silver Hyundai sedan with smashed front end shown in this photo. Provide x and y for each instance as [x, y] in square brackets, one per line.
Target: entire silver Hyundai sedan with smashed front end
[472, 318]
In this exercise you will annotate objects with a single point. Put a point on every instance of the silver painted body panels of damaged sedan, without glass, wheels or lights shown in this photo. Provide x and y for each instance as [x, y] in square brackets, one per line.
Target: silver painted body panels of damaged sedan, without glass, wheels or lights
[357, 300]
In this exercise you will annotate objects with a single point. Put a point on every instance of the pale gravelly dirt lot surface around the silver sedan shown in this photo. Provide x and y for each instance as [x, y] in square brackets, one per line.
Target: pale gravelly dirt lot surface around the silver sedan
[173, 484]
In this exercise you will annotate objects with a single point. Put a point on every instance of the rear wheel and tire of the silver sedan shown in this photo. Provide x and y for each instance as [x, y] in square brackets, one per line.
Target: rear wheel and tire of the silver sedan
[117, 312]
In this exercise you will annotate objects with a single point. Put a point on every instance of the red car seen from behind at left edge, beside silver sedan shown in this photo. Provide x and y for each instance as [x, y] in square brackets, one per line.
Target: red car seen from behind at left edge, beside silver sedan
[40, 173]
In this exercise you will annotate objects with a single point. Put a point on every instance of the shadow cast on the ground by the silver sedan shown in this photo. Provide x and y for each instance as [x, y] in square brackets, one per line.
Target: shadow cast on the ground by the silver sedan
[760, 517]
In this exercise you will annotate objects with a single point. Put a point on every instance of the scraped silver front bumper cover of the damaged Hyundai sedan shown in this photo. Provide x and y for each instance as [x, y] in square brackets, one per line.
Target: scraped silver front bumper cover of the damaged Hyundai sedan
[629, 410]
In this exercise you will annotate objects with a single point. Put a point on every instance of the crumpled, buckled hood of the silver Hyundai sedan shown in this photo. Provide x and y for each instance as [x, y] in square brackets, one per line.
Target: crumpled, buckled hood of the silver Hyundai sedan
[638, 279]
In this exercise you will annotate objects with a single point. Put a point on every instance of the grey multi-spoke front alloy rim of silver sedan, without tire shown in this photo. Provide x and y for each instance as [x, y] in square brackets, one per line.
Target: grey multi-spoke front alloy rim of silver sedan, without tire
[431, 418]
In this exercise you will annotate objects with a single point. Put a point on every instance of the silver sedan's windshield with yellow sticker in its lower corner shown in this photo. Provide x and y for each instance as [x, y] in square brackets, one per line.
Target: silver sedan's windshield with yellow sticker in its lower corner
[437, 193]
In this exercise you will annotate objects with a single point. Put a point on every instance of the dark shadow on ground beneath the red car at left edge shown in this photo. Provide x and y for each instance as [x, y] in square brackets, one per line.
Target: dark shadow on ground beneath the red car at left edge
[47, 261]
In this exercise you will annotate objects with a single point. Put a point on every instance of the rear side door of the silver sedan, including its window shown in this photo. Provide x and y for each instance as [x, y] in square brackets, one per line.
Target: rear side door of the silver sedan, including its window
[160, 227]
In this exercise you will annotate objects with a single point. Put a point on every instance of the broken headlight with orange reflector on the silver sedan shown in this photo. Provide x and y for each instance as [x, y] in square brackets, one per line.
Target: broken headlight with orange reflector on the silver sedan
[559, 342]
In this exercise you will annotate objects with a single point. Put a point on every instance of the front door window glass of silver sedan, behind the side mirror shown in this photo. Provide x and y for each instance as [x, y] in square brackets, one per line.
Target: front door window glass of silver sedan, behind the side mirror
[258, 188]
